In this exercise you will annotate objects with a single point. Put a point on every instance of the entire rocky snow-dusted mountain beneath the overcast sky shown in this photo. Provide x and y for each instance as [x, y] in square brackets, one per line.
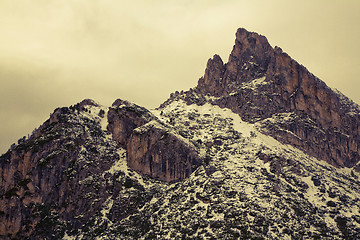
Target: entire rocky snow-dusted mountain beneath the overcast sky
[259, 149]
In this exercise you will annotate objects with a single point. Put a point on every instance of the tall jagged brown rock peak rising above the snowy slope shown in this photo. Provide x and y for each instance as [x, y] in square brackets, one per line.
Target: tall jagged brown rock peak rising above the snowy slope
[261, 83]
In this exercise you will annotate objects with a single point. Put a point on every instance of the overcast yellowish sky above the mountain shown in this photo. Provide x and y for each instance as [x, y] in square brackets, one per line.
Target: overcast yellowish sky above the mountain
[55, 53]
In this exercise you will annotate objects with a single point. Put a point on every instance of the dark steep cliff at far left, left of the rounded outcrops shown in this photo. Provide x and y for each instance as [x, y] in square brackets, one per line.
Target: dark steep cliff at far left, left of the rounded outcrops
[43, 181]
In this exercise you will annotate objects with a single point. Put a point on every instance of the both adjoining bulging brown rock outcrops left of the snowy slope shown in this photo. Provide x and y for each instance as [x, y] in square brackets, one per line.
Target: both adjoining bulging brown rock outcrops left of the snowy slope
[152, 148]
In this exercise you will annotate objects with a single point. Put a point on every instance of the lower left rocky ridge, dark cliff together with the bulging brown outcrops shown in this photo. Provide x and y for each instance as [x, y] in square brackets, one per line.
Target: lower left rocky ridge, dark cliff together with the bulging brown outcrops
[61, 169]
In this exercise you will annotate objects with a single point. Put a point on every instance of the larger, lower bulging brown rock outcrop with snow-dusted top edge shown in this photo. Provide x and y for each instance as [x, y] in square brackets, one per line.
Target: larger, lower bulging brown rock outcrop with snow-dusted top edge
[156, 151]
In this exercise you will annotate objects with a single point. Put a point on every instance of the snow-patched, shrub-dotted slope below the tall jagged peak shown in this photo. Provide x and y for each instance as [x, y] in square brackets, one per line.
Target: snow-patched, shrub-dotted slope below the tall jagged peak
[250, 187]
